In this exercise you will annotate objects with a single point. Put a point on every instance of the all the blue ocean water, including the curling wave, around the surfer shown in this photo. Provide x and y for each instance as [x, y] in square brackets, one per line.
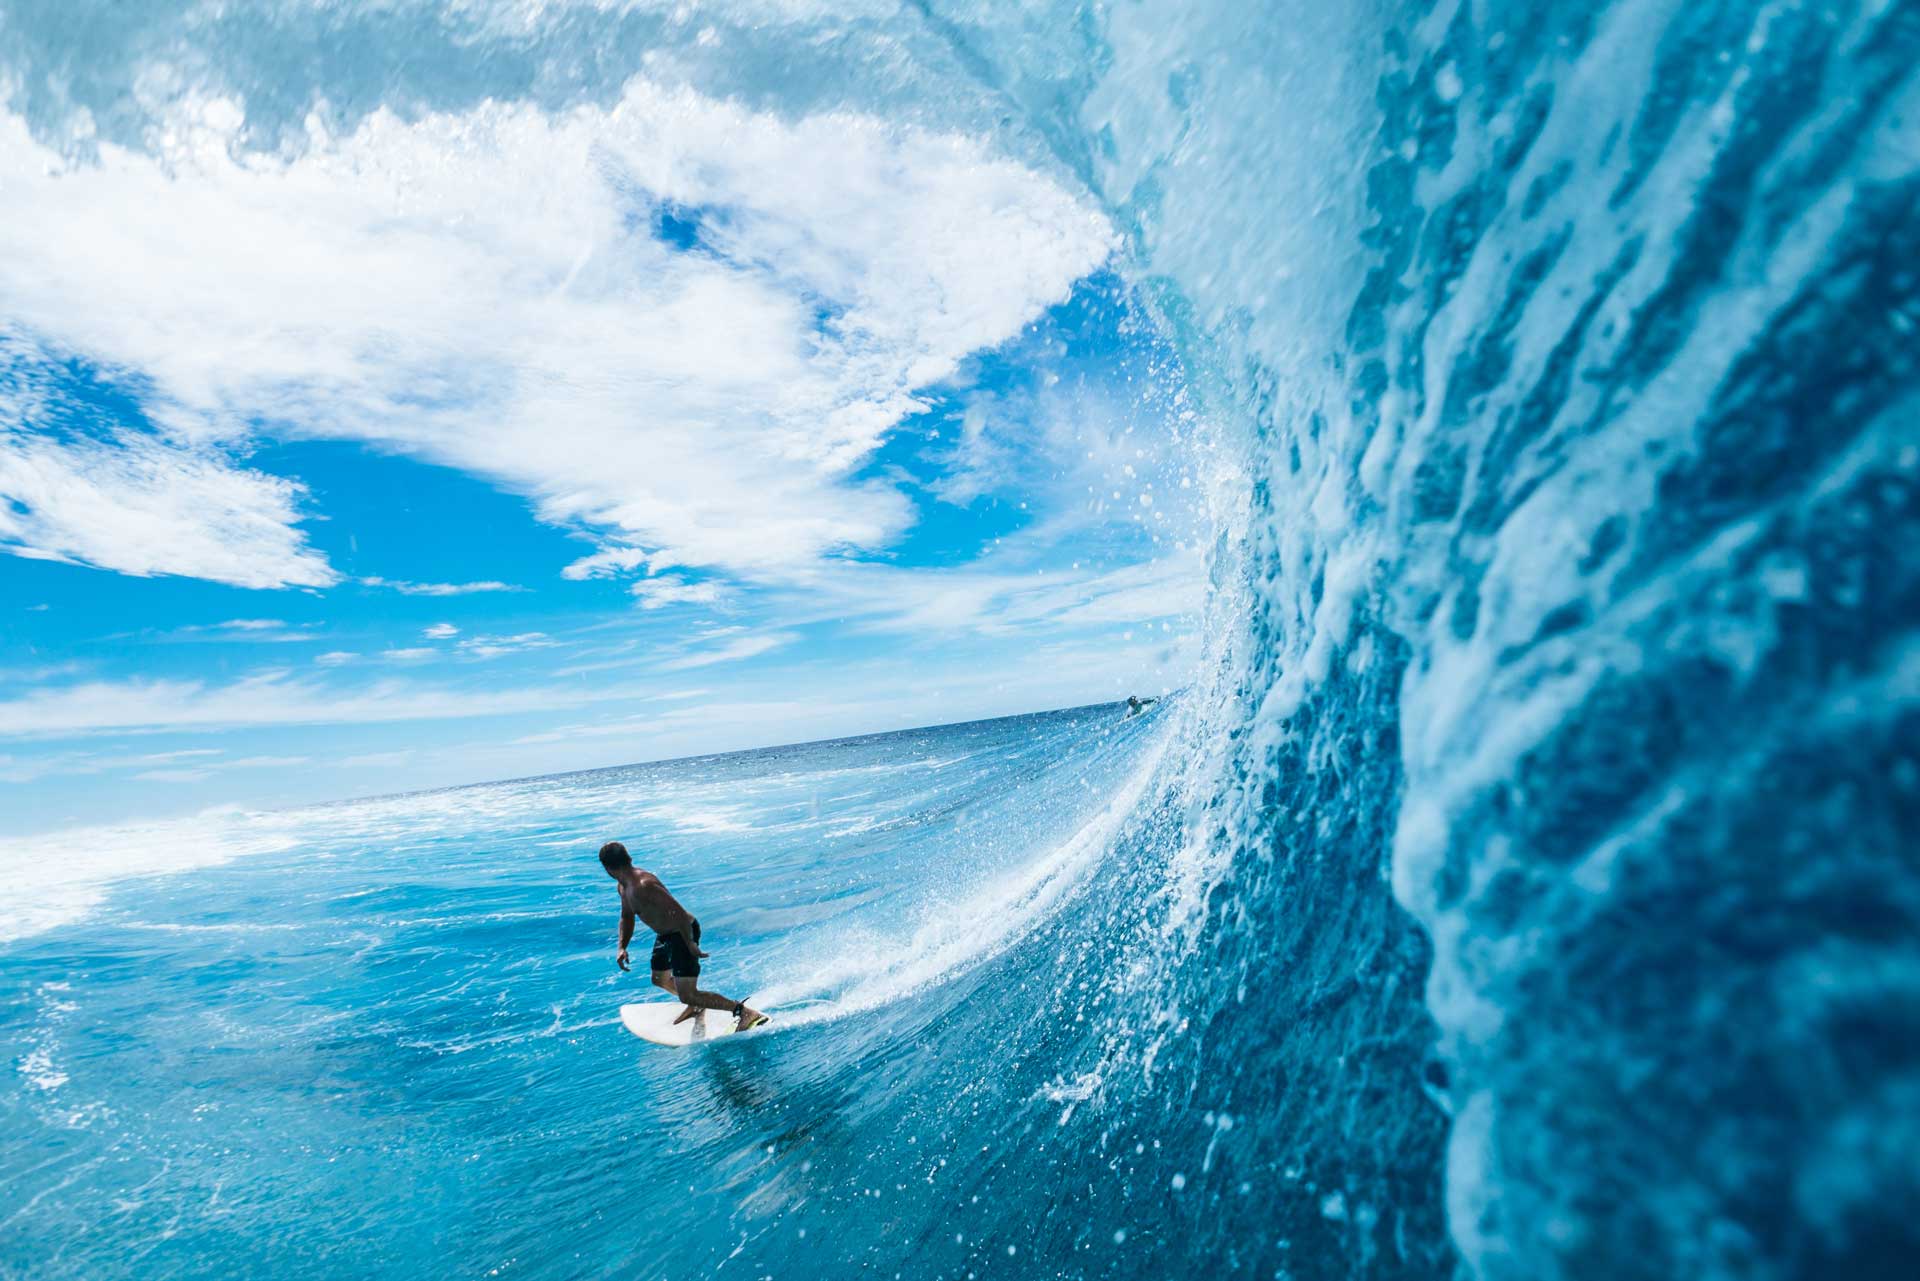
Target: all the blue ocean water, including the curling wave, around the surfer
[1525, 884]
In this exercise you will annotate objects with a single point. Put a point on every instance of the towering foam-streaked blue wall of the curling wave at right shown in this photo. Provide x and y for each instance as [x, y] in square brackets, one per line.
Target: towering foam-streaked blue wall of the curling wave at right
[1572, 349]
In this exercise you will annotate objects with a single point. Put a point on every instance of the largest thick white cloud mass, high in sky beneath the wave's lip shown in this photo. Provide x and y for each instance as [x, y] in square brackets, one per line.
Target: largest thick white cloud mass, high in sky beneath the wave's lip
[481, 291]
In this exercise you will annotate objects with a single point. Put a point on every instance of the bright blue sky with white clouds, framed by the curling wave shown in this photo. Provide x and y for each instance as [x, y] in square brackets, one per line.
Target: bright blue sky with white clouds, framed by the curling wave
[512, 441]
